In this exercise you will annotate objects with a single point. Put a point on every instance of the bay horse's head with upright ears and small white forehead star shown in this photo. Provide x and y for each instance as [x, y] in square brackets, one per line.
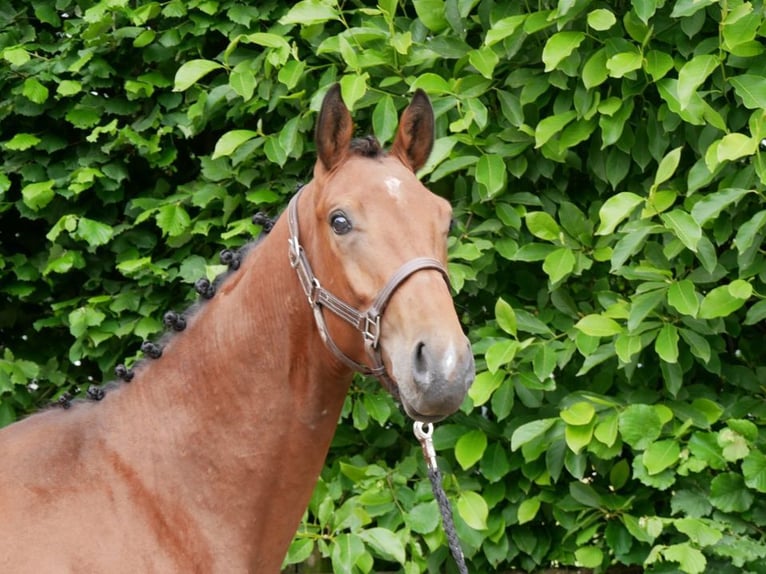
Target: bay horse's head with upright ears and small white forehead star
[377, 240]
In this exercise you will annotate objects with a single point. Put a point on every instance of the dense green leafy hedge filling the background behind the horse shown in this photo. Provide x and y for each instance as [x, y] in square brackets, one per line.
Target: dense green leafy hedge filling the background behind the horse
[606, 164]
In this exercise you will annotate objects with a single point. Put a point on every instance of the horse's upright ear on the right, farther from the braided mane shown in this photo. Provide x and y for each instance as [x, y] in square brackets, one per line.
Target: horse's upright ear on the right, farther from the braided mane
[415, 136]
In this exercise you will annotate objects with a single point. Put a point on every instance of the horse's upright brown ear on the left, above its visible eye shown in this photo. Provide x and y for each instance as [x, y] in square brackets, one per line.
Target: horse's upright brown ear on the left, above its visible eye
[334, 129]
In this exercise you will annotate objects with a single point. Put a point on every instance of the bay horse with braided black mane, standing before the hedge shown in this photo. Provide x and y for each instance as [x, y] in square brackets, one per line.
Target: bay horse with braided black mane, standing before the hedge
[205, 462]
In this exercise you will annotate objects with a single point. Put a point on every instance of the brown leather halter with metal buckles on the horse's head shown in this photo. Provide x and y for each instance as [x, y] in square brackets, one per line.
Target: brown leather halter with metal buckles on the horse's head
[366, 322]
